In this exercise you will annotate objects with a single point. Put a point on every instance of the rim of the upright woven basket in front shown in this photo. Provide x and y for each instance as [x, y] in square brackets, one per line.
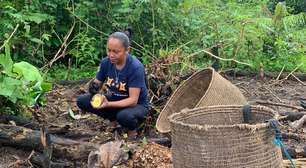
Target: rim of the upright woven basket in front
[206, 127]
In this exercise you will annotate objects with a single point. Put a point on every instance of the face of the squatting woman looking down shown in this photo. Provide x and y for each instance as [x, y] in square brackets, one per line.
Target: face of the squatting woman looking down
[116, 51]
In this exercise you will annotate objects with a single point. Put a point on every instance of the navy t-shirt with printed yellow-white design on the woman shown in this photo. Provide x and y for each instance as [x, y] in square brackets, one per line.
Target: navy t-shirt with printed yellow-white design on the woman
[118, 82]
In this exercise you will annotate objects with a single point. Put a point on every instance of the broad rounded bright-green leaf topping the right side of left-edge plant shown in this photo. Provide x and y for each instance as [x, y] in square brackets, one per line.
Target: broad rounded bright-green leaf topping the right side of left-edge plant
[27, 71]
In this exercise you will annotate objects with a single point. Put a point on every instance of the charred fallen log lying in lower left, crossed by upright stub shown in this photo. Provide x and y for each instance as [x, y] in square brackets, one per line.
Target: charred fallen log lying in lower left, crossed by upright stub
[21, 137]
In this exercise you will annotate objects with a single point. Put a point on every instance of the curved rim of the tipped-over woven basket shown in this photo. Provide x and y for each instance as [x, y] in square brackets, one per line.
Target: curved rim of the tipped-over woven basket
[159, 124]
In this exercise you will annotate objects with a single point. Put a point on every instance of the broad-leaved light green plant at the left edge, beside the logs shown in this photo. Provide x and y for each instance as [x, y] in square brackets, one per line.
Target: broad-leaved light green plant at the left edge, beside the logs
[20, 83]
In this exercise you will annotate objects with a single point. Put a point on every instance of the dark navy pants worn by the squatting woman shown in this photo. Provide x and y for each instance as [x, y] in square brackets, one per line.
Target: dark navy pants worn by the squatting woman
[130, 117]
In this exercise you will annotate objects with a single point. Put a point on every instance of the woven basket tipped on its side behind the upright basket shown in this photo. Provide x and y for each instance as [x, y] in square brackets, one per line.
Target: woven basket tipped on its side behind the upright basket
[204, 88]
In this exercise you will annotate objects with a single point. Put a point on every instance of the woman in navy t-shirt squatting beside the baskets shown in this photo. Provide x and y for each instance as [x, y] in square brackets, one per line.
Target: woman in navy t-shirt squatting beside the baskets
[126, 100]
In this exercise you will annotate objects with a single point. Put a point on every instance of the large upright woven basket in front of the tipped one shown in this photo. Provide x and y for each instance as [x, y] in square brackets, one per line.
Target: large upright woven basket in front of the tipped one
[216, 136]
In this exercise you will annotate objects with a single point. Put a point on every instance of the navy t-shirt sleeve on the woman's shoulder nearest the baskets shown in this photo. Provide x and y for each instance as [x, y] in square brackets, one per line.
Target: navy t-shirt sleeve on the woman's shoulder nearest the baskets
[137, 78]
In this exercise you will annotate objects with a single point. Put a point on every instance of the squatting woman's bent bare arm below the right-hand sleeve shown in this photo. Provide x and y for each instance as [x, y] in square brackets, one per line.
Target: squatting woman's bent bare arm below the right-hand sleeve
[127, 102]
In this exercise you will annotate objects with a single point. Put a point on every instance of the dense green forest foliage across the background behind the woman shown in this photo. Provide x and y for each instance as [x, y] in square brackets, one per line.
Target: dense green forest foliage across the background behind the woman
[269, 32]
